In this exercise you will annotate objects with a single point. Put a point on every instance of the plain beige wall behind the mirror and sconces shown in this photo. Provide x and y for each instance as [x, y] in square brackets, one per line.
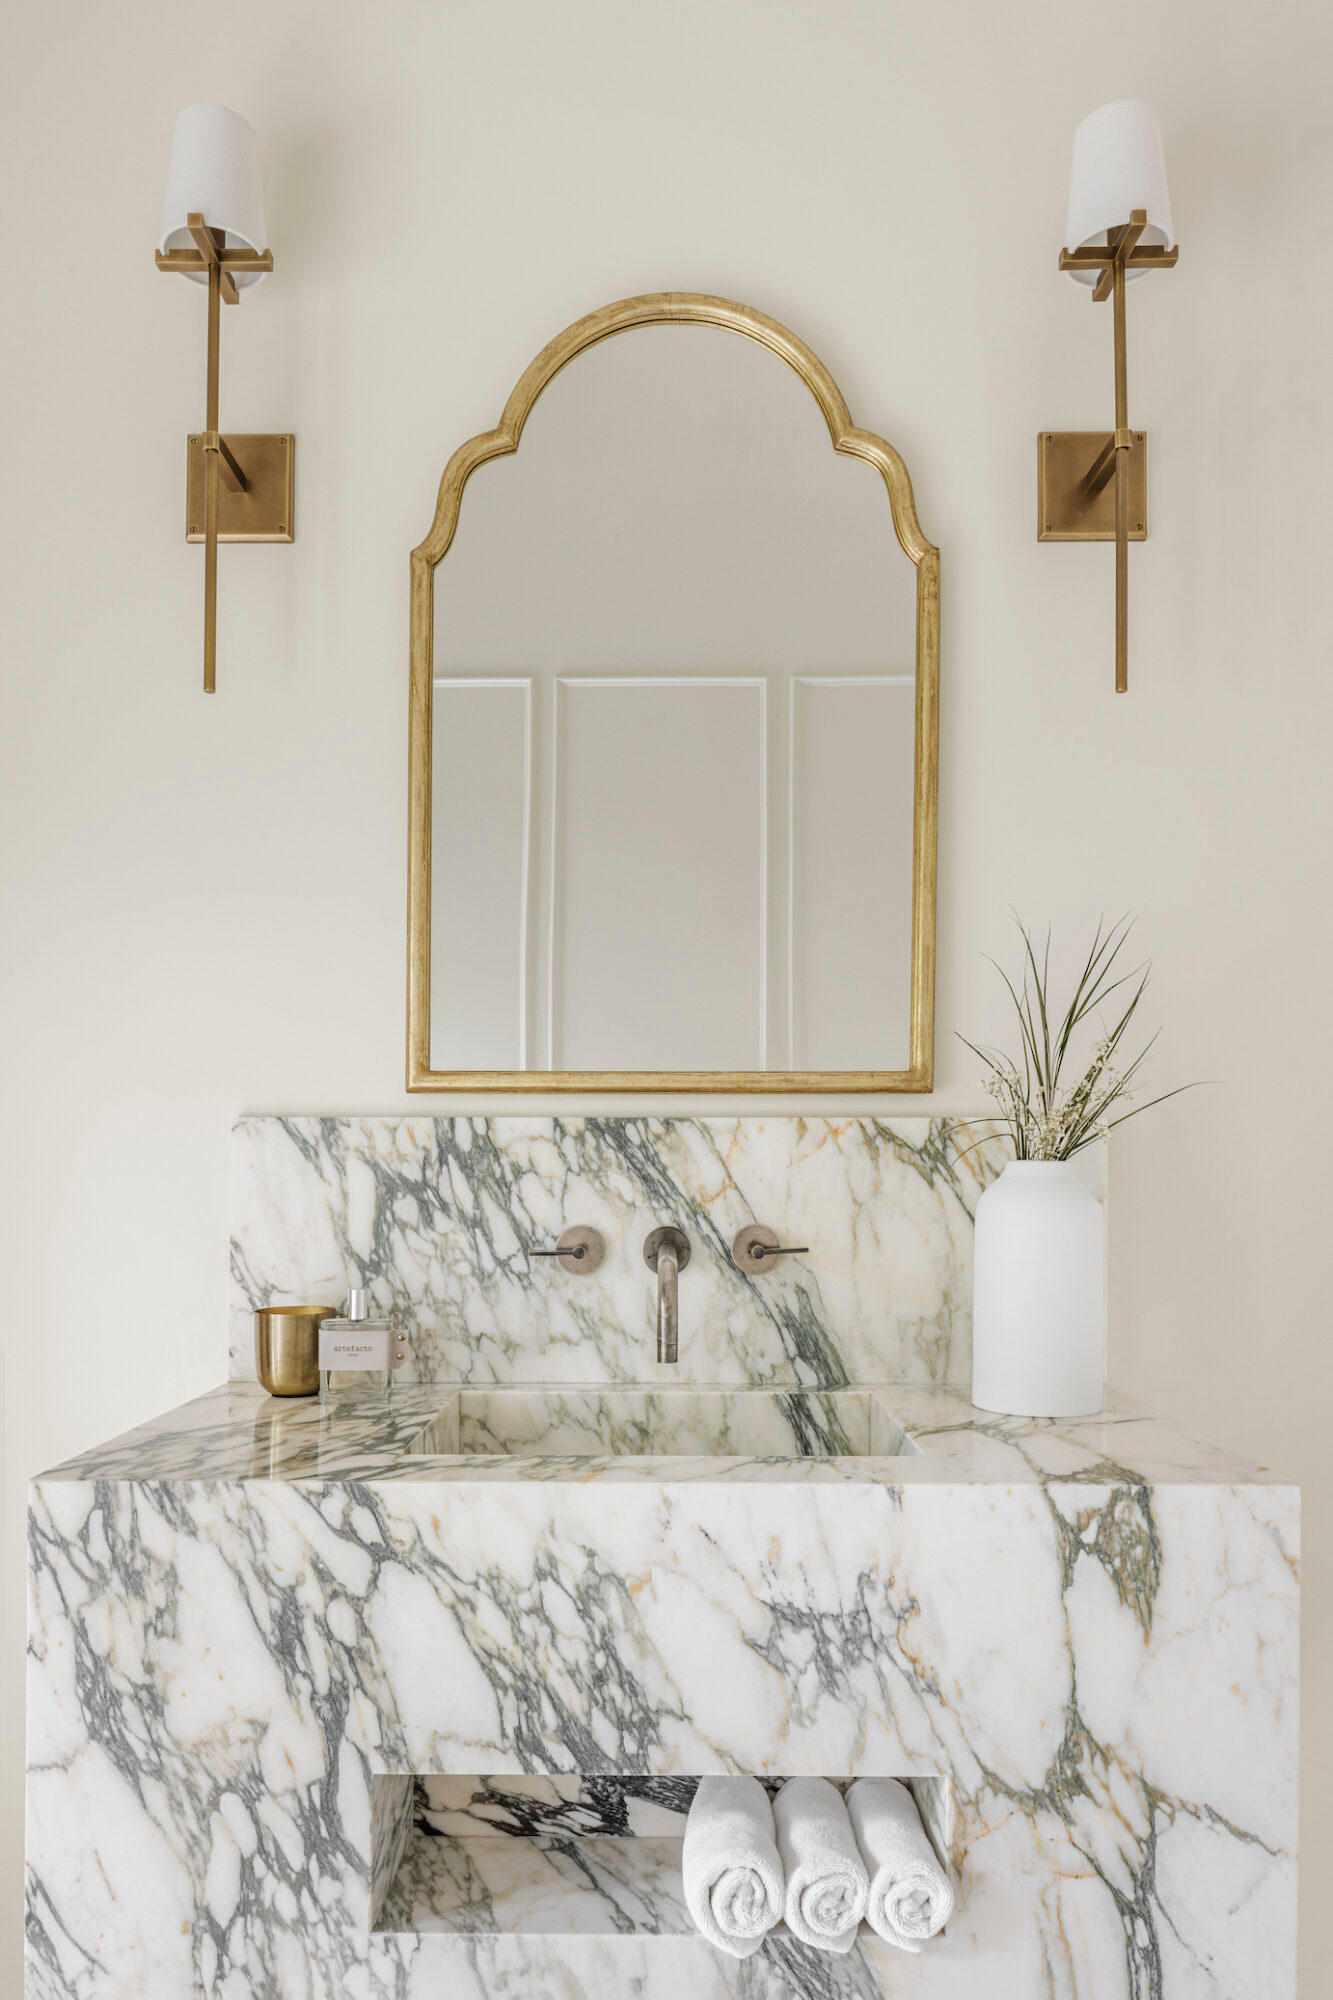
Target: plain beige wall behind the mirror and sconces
[203, 901]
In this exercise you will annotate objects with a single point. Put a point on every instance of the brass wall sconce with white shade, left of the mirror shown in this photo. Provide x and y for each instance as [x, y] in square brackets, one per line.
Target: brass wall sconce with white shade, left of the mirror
[239, 489]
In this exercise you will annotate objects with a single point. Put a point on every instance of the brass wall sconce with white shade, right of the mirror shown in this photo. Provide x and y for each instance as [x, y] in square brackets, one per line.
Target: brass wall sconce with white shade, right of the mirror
[1092, 485]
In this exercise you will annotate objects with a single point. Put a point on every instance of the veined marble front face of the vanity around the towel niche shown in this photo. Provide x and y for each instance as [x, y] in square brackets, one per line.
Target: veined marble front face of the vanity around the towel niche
[1106, 1675]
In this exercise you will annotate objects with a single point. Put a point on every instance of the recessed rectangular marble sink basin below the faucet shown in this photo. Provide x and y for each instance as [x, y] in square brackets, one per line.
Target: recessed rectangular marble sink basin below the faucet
[670, 1423]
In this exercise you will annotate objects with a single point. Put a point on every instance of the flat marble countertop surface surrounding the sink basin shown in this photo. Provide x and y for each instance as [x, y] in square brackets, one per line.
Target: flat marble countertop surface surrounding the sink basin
[239, 1433]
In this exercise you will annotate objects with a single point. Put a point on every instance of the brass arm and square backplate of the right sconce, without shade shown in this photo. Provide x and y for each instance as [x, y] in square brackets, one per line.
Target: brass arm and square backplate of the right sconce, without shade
[1070, 481]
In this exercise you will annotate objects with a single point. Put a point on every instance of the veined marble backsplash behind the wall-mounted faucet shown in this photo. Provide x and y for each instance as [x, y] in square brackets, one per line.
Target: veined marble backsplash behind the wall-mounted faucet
[439, 1219]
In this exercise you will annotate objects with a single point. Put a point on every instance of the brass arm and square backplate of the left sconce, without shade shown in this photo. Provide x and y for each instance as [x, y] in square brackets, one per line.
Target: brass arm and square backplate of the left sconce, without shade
[247, 481]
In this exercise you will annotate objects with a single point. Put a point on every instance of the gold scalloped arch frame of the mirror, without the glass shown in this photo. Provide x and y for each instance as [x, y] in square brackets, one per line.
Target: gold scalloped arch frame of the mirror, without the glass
[676, 309]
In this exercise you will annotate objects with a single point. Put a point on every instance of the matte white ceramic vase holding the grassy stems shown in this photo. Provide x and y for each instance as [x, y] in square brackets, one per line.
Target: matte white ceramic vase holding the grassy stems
[1040, 1299]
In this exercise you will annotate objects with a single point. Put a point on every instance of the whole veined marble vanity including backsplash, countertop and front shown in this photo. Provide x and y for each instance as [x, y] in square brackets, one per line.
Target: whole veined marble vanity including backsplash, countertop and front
[409, 1701]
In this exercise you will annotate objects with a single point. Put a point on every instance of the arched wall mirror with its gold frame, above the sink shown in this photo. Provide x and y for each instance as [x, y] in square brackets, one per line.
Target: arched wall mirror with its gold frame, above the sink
[674, 729]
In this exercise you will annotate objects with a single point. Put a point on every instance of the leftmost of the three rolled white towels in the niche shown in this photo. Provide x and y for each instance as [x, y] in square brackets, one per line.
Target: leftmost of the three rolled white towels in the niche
[734, 1877]
